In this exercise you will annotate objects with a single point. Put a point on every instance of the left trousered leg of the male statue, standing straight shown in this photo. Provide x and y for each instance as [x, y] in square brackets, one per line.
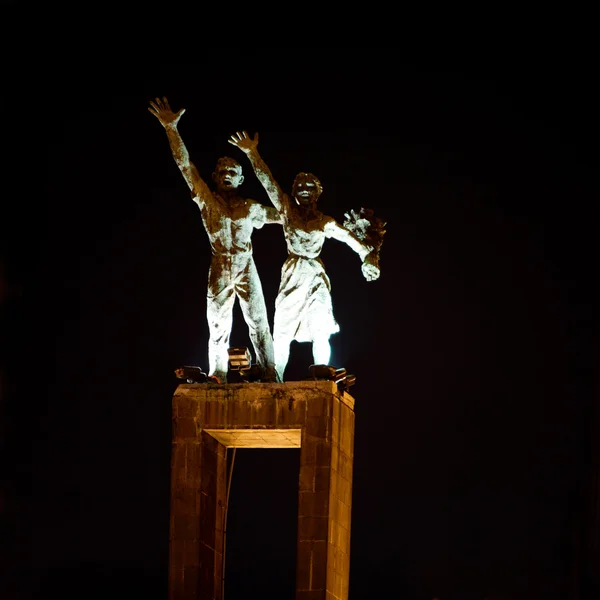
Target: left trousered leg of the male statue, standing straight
[219, 313]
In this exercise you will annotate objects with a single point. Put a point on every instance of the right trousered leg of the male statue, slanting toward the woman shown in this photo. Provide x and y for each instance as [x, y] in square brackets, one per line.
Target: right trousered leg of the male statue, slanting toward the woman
[252, 303]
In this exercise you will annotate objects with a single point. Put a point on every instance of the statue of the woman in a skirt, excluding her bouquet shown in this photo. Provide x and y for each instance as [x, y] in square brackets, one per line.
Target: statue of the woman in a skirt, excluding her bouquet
[303, 308]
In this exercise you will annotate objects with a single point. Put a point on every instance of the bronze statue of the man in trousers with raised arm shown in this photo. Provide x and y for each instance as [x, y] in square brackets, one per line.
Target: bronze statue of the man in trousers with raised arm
[229, 220]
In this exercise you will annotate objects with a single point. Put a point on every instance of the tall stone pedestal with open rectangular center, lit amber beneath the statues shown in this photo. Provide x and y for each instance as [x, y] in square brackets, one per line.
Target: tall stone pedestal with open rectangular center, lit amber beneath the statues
[314, 416]
